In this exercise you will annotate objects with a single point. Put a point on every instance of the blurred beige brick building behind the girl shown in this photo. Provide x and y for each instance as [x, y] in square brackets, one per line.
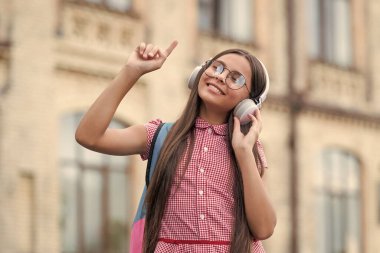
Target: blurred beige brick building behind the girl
[321, 120]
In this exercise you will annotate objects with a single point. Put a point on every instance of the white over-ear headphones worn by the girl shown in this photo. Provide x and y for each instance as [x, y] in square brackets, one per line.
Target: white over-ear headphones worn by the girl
[246, 106]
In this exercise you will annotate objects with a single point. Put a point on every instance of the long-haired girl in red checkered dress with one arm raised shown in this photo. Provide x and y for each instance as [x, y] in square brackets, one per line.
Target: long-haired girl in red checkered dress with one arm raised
[206, 194]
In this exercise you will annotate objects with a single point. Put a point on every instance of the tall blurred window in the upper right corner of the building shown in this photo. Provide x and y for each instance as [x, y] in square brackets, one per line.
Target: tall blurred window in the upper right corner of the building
[330, 29]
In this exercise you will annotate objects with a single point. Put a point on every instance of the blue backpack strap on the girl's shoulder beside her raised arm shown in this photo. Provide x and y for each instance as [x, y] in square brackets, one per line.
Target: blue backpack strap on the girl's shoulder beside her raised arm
[155, 148]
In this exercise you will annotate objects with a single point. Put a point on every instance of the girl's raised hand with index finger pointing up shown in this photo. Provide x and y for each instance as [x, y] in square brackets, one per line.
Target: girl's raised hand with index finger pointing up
[147, 57]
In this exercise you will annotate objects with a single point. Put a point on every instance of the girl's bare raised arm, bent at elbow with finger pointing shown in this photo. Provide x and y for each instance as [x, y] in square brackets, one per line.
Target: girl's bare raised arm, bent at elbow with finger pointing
[93, 132]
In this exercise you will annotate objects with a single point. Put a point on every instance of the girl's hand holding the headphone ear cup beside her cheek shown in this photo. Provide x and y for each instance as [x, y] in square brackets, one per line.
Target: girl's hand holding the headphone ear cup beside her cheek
[241, 142]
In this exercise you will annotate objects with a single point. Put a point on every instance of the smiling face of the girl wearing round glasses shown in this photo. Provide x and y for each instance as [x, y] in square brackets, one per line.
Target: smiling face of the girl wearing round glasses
[214, 92]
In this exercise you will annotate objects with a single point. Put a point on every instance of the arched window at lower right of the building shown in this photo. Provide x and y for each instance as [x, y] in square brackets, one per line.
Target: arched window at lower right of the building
[338, 203]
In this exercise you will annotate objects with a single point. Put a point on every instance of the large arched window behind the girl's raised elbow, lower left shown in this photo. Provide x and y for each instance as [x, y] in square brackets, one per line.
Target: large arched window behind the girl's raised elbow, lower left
[94, 196]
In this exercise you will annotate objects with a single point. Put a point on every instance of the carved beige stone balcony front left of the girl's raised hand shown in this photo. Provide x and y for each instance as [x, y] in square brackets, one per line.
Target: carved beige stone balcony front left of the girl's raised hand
[95, 40]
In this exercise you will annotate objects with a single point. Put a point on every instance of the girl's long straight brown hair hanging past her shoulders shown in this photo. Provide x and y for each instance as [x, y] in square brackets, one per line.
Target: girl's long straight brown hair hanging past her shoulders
[173, 149]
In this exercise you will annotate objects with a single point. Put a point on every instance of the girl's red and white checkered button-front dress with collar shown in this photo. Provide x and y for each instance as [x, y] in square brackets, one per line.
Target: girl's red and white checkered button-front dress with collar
[199, 216]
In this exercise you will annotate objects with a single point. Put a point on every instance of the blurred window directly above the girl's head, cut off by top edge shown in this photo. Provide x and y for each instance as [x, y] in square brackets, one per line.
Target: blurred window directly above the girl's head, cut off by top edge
[232, 19]
